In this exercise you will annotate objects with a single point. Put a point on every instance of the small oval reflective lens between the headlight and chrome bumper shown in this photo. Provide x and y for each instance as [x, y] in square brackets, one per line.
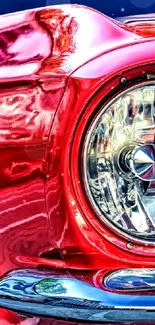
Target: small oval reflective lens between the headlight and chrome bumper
[131, 280]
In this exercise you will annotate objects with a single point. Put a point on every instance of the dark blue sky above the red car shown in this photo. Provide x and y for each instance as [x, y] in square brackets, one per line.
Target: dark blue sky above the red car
[112, 8]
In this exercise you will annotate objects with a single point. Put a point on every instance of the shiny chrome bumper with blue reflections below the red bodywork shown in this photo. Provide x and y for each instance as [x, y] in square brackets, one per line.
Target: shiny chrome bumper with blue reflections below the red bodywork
[60, 296]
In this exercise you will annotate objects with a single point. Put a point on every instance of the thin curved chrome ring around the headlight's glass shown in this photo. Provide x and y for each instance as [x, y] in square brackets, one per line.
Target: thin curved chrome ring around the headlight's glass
[105, 220]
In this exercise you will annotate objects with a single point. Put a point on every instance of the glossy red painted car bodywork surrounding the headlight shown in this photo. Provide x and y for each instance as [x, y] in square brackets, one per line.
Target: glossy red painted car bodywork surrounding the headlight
[56, 66]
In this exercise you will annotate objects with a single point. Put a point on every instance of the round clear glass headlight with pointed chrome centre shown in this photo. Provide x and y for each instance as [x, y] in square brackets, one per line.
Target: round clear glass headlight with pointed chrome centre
[119, 162]
